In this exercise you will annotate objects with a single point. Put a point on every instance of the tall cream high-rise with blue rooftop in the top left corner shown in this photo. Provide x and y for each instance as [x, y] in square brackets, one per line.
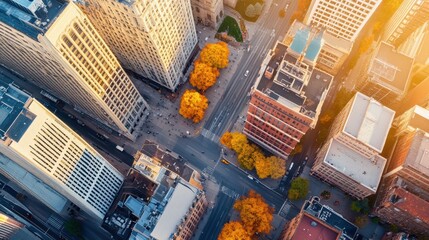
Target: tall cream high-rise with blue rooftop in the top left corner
[56, 46]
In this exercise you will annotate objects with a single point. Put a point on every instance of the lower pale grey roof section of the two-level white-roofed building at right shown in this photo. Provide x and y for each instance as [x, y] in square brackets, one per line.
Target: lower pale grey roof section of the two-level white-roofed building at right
[365, 171]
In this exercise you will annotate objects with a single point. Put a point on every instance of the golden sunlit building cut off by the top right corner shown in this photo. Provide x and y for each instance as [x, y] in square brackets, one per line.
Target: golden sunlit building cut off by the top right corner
[410, 15]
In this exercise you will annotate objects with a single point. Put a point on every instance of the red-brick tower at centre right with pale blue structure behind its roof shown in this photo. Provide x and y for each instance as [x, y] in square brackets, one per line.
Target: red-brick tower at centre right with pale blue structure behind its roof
[287, 97]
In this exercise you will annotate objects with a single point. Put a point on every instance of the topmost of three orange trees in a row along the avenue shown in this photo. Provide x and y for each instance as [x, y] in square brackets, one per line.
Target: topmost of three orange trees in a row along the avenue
[215, 55]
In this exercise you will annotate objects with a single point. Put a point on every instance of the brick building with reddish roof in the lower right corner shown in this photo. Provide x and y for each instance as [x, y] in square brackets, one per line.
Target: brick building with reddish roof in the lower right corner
[403, 204]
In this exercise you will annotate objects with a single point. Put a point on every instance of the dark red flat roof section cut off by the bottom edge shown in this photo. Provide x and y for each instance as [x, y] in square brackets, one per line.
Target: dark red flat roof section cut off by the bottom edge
[312, 228]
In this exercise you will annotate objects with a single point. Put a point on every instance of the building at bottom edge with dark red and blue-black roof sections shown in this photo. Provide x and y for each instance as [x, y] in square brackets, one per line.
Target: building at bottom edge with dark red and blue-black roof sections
[316, 221]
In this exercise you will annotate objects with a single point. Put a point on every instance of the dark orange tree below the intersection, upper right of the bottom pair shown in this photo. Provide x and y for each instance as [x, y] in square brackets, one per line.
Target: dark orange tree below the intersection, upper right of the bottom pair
[255, 214]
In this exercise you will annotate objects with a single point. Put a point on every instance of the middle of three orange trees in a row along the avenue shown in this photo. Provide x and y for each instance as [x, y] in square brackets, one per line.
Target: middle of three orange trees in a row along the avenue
[203, 76]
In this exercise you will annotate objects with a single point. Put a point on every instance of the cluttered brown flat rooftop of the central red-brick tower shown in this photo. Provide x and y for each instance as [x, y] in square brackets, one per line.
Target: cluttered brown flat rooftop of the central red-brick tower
[295, 84]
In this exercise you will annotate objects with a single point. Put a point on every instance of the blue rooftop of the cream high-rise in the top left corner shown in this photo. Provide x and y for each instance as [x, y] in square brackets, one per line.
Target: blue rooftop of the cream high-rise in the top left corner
[31, 17]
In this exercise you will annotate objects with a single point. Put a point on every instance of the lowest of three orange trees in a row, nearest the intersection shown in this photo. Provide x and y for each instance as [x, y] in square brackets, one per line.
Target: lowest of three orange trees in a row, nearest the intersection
[193, 105]
